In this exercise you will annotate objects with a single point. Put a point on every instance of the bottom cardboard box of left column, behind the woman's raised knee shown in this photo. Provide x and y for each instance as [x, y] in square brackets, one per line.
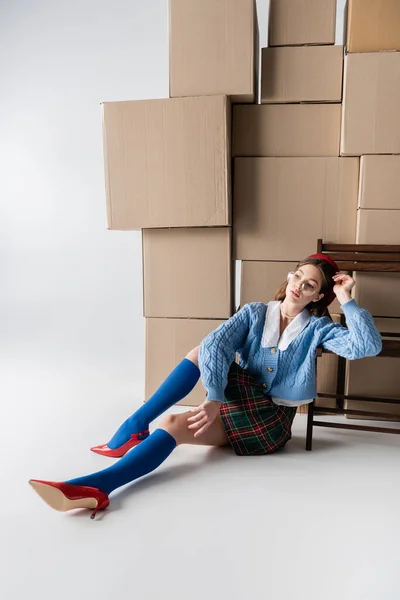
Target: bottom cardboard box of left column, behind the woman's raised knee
[168, 341]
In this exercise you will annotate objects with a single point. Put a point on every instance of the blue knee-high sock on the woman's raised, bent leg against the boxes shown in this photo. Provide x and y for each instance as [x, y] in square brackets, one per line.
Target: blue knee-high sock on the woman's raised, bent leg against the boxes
[178, 384]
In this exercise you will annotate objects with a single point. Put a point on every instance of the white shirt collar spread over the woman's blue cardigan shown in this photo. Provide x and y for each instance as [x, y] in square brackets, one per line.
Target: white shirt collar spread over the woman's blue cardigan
[271, 330]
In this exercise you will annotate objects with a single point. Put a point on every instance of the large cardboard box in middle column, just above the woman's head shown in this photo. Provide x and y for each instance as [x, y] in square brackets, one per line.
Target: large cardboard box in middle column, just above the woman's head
[282, 206]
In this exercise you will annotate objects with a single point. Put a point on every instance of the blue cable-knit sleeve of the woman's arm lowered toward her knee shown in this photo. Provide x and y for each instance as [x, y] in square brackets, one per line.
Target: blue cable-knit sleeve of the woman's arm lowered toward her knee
[218, 349]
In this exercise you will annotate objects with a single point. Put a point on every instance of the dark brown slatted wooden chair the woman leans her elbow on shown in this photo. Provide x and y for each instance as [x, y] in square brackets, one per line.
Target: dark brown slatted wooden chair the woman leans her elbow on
[358, 257]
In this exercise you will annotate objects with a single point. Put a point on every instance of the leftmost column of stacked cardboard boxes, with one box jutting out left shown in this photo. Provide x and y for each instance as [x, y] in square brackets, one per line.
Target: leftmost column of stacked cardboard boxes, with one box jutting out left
[168, 174]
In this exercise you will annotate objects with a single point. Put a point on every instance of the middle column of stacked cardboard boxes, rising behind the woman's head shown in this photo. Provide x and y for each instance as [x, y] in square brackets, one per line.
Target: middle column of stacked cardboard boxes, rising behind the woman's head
[291, 186]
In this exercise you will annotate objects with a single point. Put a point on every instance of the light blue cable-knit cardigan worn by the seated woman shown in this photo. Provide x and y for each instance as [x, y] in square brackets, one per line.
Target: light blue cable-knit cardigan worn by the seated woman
[286, 364]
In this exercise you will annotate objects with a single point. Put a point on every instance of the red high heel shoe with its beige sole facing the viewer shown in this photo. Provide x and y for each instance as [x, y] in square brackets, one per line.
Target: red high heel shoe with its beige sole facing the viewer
[65, 496]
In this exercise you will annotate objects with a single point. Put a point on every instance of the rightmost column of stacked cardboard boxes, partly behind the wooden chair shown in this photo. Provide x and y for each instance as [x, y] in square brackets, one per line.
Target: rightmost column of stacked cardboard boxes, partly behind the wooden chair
[371, 130]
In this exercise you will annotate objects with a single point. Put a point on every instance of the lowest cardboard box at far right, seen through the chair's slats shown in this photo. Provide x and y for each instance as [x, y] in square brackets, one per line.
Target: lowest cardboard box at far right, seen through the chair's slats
[376, 376]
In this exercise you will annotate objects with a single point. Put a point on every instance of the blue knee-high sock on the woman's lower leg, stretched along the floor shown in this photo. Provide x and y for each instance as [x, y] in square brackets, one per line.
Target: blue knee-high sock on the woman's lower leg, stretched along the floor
[142, 460]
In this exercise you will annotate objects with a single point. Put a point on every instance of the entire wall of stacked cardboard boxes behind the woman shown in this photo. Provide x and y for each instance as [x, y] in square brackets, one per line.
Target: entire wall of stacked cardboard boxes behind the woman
[296, 162]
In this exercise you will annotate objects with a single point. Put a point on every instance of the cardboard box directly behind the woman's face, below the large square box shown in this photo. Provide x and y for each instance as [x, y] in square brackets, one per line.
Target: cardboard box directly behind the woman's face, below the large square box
[261, 280]
